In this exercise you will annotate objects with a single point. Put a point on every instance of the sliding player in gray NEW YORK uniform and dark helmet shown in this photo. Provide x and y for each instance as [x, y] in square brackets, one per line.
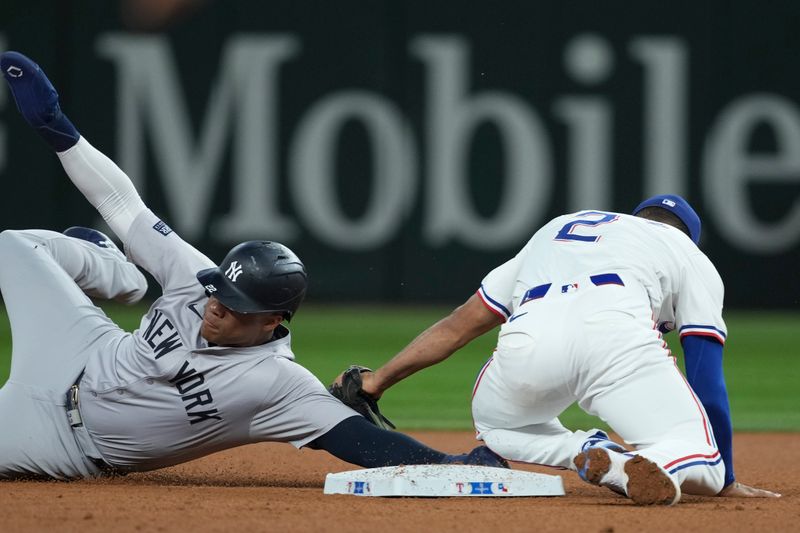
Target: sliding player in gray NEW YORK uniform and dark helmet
[211, 366]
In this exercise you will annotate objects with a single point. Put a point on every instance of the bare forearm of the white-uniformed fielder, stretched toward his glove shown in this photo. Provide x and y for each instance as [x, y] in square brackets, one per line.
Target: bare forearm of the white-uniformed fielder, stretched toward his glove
[470, 320]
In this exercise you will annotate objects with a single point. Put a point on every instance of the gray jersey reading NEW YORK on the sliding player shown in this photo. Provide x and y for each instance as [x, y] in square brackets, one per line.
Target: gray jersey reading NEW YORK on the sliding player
[162, 395]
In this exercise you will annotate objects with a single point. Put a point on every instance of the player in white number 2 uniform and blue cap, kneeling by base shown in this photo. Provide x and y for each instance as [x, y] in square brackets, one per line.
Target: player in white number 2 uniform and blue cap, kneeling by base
[583, 307]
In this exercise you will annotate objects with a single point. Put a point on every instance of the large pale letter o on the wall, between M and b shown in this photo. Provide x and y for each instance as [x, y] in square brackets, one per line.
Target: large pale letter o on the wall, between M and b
[313, 163]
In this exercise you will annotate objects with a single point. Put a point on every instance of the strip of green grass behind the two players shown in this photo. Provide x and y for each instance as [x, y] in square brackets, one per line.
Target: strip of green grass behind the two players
[761, 363]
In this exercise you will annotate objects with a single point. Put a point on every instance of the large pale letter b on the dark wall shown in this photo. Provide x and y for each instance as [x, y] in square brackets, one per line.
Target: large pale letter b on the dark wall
[452, 117]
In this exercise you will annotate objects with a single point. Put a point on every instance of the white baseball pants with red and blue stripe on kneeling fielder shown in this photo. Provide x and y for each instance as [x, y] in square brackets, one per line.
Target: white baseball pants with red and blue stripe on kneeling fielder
[598, 346]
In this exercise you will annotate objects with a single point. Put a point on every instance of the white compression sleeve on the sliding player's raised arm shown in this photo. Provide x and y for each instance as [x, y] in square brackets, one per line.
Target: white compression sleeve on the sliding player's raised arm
[104, 184]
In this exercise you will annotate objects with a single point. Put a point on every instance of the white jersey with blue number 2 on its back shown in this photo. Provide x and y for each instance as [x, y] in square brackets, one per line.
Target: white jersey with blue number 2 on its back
[684, 288]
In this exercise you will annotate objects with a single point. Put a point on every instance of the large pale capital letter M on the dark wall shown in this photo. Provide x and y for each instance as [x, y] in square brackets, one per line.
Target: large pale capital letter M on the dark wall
[243, 104]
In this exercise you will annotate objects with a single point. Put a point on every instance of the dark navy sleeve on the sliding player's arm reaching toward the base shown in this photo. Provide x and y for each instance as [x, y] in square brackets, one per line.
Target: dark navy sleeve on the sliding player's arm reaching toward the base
[360, 442]
